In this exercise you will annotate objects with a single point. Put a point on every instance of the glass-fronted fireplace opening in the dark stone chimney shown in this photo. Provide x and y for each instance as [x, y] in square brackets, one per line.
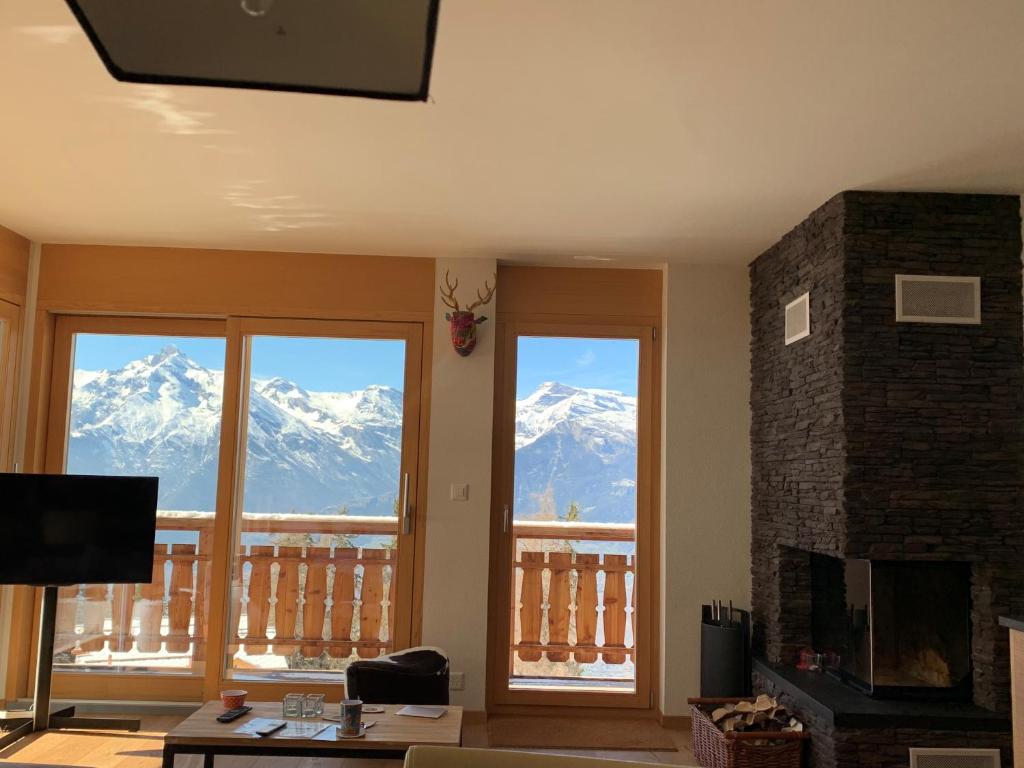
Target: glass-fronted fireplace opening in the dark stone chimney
[895, 630]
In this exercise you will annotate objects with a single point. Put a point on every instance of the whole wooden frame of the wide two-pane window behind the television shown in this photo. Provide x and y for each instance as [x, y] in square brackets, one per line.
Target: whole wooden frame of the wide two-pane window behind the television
[205, 687]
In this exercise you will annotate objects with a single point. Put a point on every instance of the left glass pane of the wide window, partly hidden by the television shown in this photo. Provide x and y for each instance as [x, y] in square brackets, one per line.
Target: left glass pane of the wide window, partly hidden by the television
[148, 406]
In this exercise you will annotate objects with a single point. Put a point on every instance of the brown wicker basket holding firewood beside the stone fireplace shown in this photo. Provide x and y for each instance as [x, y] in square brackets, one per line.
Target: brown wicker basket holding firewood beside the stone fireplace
[714, 749]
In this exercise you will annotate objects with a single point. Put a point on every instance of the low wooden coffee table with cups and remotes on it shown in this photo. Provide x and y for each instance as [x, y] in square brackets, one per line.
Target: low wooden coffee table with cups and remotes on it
[390, 738]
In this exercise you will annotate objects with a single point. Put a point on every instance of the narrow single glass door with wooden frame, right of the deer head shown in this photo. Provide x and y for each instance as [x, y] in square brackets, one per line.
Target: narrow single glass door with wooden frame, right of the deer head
[574, 501]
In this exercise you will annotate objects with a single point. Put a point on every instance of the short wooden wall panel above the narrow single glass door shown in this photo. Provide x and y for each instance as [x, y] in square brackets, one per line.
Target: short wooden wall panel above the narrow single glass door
[539, 292]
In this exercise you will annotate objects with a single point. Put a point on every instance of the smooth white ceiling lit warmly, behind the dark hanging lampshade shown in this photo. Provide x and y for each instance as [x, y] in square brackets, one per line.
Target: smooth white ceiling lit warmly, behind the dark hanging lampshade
[639, 131]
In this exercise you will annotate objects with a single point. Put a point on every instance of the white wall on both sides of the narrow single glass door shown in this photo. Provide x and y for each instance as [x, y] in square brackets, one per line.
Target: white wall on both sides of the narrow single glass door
[706, 487]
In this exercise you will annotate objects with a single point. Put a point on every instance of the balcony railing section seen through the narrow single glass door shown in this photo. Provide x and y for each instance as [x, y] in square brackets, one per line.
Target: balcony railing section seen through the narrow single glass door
[562, 595]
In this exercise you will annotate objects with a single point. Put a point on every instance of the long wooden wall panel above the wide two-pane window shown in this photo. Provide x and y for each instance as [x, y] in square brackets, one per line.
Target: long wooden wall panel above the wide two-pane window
[182, 281]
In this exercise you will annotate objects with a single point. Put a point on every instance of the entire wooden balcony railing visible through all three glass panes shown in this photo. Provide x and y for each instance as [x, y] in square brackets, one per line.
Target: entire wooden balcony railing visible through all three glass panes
[338, 600]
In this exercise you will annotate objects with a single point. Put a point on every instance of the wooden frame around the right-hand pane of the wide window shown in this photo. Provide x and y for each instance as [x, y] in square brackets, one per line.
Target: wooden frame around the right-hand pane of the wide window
[409, 591]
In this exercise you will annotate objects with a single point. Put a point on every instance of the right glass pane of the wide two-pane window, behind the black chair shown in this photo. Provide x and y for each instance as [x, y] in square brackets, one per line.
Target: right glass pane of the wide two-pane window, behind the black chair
[313, 583]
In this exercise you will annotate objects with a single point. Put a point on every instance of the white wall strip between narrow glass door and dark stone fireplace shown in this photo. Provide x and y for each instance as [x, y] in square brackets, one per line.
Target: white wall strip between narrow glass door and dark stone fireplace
[706, 502]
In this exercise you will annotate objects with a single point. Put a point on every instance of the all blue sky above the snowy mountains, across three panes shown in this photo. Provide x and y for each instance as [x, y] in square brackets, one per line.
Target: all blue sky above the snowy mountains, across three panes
[348, 365]
